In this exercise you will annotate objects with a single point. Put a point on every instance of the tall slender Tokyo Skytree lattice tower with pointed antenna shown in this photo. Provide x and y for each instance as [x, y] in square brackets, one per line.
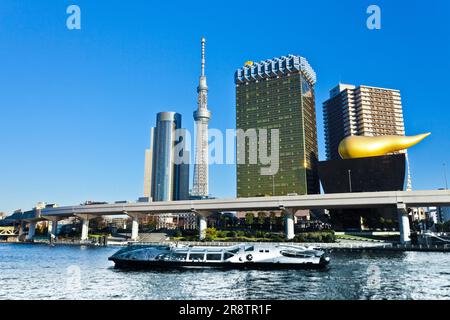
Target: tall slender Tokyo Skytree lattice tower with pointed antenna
[201, 117]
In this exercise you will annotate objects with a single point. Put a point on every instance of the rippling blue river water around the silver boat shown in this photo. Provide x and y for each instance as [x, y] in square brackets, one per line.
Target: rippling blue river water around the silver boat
[72, 272]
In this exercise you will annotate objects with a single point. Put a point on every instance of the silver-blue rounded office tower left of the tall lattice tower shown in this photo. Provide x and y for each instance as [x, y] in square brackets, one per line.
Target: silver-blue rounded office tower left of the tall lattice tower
[166, 176]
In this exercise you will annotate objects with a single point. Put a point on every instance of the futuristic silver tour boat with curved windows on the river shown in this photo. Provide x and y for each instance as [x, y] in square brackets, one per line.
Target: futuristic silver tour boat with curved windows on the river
[258, 255]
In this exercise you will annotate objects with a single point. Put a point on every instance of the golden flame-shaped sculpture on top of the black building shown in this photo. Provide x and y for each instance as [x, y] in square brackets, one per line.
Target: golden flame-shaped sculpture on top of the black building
[362, 147]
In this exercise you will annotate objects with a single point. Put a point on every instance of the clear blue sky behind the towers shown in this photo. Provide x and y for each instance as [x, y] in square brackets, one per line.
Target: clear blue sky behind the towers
[76, 106]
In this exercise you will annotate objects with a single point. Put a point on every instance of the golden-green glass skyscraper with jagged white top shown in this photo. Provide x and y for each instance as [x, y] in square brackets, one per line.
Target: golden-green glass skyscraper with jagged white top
[279, 94]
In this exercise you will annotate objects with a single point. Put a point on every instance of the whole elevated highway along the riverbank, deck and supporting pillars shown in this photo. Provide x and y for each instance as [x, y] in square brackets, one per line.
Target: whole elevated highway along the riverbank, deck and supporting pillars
[401, 200]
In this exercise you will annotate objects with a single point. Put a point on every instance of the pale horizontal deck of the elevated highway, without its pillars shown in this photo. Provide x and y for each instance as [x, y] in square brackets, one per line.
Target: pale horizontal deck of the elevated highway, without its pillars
[321, 201]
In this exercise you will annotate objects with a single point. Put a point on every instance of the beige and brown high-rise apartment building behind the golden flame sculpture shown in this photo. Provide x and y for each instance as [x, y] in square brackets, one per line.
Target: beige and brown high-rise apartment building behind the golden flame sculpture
[360, 111]
